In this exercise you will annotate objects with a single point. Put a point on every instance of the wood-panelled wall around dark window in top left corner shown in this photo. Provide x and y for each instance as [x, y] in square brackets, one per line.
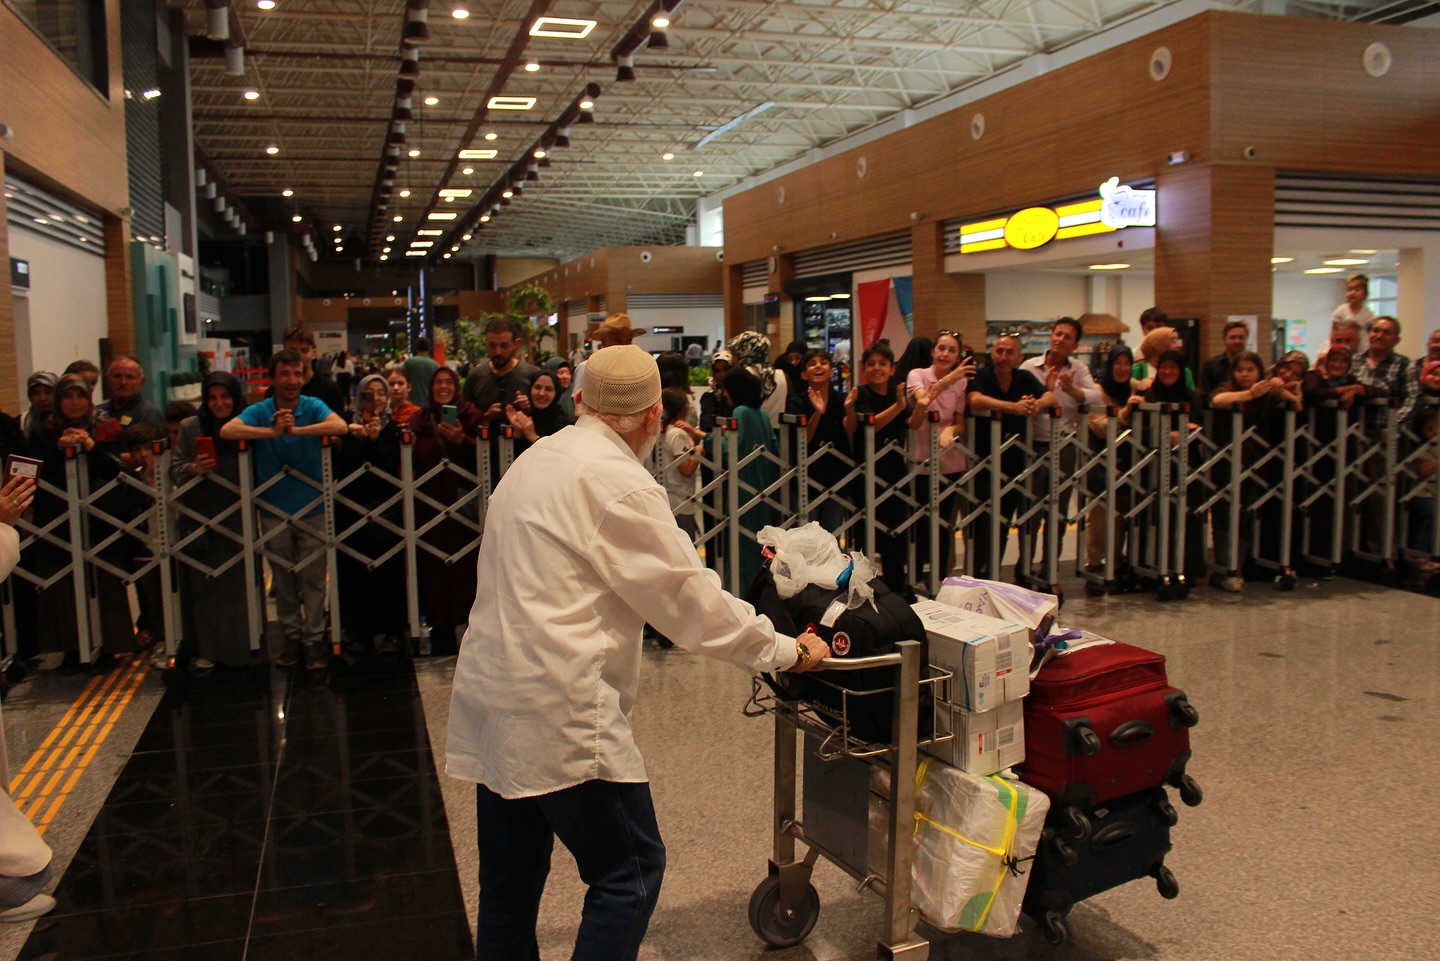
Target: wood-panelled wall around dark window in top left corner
[67, 136]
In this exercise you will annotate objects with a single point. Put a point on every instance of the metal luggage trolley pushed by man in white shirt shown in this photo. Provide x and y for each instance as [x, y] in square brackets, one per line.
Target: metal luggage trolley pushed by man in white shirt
[786, 906]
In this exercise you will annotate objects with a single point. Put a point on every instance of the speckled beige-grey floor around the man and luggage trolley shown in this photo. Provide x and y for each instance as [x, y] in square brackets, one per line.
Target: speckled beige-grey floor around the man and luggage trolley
[1315, 751]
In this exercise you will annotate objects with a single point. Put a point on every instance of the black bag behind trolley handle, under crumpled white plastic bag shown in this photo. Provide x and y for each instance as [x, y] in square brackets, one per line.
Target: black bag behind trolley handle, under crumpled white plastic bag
[863, 632]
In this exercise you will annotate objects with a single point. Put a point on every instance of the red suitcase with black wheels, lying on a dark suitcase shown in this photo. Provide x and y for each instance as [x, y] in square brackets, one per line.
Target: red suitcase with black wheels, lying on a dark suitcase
[1102, 723]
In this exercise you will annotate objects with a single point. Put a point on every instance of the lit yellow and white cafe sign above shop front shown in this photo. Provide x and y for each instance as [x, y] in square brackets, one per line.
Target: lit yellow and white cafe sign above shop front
[1117, 208]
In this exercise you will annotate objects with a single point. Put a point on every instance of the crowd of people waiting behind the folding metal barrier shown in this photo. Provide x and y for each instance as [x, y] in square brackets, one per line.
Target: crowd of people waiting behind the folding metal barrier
[935, 390]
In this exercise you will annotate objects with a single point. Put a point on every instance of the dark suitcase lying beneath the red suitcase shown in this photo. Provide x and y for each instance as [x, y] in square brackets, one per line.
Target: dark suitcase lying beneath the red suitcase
[1130, 841]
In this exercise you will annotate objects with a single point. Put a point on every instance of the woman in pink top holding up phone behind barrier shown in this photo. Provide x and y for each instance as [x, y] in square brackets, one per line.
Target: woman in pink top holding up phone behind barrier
[940, 388]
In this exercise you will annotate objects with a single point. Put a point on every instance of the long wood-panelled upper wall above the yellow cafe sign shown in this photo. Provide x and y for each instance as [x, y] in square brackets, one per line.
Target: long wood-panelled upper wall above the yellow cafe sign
[1058, 135]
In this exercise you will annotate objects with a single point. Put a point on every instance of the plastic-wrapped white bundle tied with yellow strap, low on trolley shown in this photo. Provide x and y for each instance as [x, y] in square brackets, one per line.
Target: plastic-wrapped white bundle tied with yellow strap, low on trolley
[973, 842]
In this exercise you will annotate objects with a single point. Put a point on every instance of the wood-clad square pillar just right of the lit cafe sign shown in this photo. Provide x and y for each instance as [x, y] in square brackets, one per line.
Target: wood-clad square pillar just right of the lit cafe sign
[1213, 247]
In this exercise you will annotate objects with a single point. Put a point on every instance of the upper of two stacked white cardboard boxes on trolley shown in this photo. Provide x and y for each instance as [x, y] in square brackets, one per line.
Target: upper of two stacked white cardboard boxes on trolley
[990, 658]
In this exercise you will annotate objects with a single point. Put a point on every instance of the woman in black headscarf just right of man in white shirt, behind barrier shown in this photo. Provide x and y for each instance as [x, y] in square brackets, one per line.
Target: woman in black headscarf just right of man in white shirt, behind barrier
[1120, 397]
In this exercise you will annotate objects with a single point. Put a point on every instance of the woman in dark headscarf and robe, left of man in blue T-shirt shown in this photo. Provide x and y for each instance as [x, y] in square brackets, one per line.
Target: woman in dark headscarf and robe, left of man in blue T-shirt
[214, 616]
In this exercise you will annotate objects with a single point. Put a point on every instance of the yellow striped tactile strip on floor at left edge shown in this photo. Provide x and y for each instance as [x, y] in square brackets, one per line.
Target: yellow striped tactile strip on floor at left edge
[41, 787]
